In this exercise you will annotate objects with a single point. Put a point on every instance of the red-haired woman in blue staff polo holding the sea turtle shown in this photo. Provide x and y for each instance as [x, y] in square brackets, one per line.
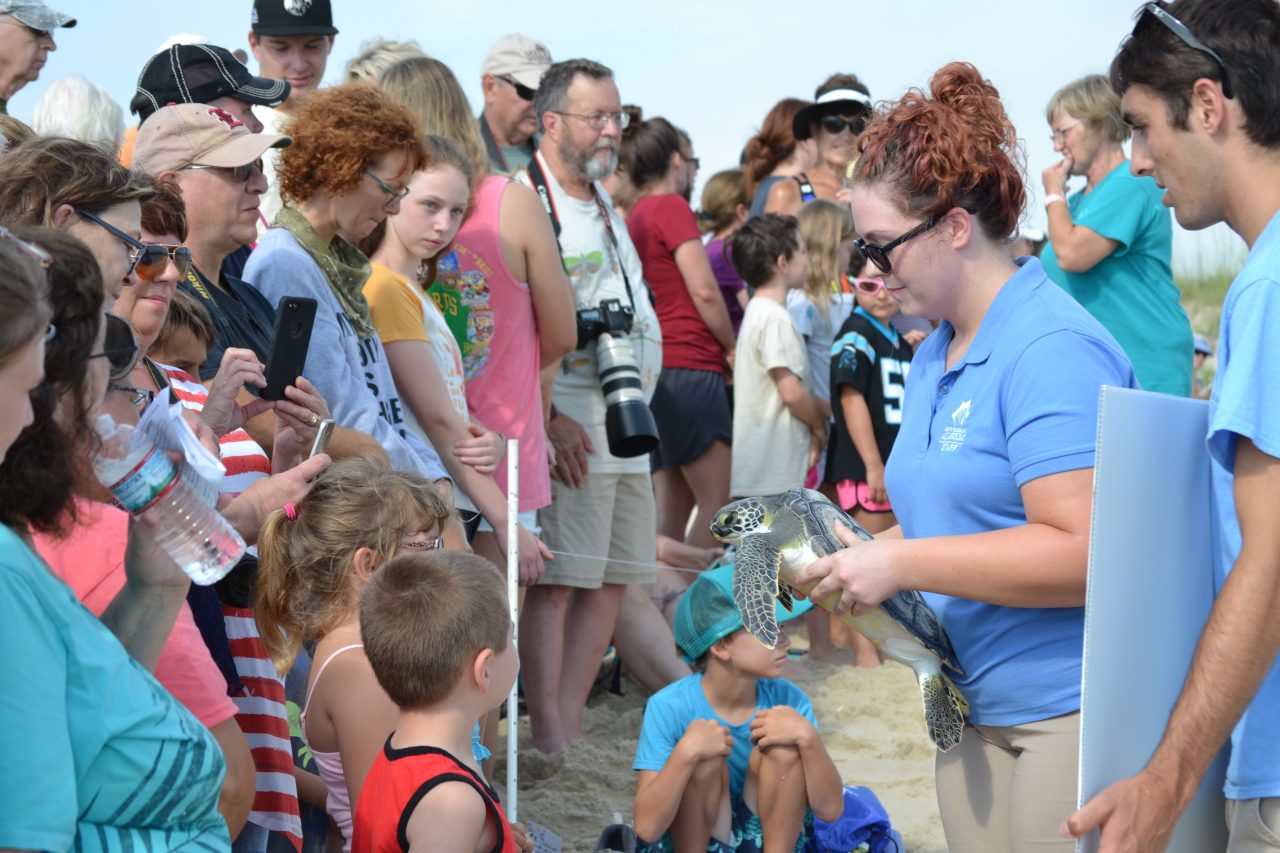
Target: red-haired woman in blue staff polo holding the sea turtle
[991, 475]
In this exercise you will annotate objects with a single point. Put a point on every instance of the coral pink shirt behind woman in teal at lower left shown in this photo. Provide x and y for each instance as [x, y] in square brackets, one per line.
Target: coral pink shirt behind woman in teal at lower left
[92, 562]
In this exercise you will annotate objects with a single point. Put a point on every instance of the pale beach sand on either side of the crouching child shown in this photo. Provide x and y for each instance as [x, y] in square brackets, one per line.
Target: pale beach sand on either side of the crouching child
[870, 719]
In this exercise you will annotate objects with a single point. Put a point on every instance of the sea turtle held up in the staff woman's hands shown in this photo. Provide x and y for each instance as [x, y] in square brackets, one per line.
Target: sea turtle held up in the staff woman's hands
[781, 533]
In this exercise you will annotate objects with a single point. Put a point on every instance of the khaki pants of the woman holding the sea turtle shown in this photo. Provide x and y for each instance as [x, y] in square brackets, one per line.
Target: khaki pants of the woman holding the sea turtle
[1007, 790]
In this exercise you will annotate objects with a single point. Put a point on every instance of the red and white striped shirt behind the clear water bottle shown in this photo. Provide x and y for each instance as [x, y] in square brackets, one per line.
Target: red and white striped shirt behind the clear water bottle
[262, 713]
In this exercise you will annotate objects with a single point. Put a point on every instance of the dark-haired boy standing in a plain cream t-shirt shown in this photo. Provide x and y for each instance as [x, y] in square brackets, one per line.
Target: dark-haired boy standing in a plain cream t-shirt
[779, 428]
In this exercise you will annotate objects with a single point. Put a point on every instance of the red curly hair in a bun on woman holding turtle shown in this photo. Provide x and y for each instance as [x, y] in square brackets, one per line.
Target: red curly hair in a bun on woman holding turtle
[953, 148]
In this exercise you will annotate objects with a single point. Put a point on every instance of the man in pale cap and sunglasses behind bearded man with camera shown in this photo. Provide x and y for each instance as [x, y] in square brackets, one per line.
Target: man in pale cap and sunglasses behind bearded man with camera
[510, 76]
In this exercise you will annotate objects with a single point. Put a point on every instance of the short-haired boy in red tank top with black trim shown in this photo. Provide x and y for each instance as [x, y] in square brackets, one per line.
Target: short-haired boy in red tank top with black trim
[438, 635]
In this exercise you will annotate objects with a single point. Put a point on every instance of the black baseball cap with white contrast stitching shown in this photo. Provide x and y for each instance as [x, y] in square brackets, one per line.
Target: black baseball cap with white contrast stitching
[198, 75]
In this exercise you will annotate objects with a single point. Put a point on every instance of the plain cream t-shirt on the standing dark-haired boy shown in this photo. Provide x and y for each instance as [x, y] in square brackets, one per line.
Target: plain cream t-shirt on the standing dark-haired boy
[771, 446]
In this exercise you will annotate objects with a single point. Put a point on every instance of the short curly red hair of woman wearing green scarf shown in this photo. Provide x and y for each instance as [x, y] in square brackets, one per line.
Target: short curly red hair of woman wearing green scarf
[339, 134]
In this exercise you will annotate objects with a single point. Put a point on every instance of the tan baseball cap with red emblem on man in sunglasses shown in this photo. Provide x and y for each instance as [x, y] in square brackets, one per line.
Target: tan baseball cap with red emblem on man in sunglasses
[184, 135]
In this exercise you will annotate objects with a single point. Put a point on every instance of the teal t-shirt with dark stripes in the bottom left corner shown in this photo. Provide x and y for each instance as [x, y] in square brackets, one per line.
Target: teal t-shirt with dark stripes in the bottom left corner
[97, 755]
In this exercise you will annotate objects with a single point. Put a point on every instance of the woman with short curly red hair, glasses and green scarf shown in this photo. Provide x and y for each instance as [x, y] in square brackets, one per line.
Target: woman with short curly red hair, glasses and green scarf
[353, 157]
